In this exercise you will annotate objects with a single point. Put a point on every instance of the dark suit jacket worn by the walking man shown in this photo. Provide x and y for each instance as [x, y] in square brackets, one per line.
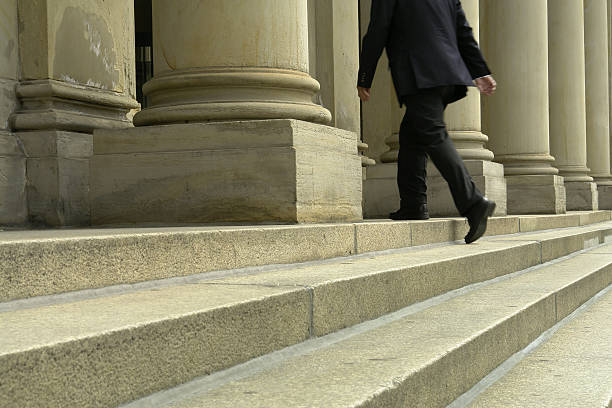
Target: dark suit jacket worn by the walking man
[429, 43]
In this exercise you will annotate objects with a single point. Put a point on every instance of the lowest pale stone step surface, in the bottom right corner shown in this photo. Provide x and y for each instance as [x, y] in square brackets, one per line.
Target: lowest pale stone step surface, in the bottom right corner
[573, 368]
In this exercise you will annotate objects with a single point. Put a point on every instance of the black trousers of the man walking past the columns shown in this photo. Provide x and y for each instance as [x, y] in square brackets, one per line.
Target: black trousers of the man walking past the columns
[423, 133]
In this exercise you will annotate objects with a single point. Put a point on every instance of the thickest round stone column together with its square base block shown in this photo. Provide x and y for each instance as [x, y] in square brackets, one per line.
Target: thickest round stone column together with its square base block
[231, 80]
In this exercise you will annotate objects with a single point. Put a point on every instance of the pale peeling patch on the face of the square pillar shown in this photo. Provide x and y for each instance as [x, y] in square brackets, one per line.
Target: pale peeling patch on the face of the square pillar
[85, 50]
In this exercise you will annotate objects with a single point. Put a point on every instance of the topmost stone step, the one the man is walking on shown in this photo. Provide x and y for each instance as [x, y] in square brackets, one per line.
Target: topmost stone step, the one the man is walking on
[38, 263]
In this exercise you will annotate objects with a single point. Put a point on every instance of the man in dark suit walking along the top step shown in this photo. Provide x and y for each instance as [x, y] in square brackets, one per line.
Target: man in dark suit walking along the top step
[433, 57]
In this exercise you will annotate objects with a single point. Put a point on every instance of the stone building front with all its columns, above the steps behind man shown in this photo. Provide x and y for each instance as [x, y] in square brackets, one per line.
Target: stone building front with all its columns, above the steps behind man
[118, 112]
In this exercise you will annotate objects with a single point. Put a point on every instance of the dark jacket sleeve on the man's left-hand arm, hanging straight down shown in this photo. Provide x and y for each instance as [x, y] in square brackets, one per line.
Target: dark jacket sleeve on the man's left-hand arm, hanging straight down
[375, 40]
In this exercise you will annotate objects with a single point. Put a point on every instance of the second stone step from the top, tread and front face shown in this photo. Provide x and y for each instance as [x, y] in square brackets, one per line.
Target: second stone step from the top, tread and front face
[109, 346]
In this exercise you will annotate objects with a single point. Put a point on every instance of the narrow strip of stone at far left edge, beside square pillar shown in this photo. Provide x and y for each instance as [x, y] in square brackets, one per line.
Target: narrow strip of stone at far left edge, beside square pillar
[12, 161]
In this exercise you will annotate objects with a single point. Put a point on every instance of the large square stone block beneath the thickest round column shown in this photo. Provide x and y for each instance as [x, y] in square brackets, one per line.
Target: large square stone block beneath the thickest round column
[251, 171]
